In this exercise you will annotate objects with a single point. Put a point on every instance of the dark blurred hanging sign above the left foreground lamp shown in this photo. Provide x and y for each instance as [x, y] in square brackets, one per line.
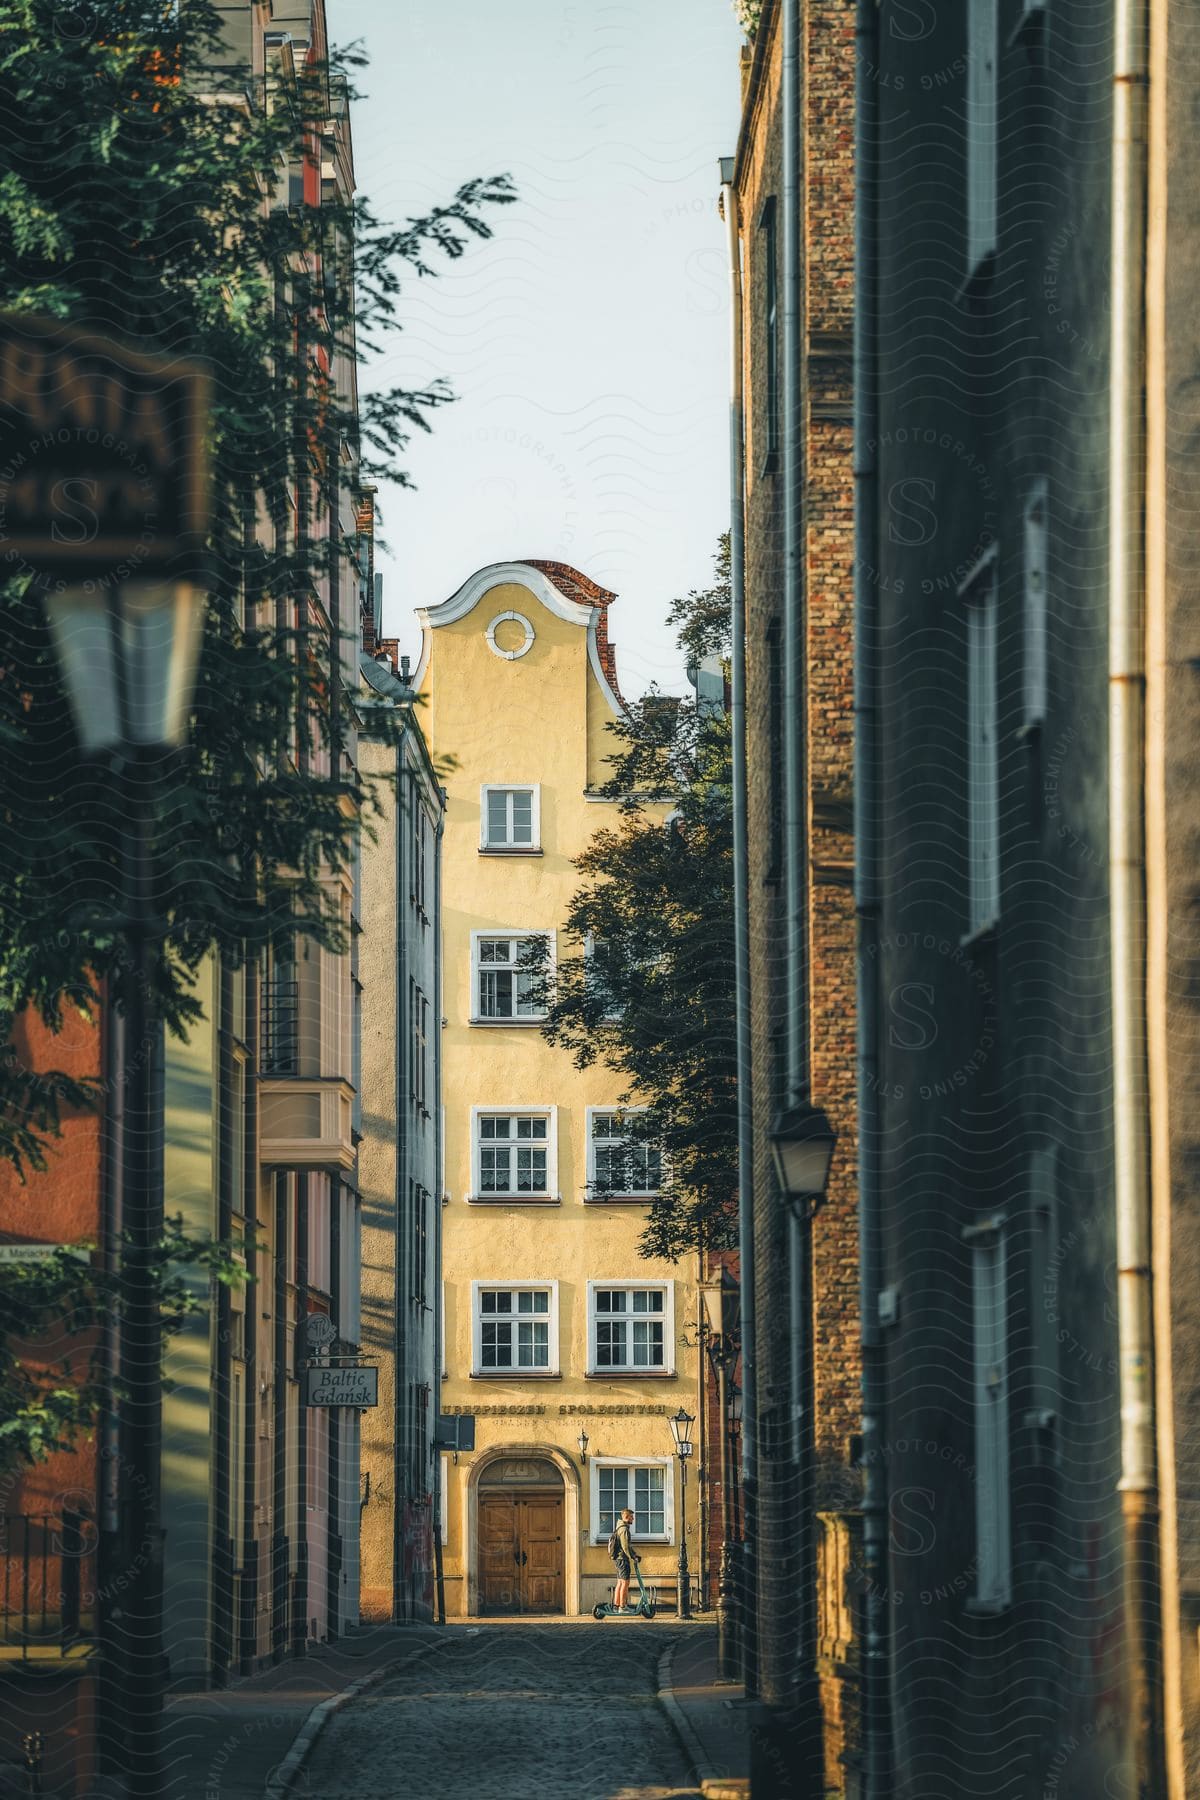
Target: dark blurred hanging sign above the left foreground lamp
[103, 463]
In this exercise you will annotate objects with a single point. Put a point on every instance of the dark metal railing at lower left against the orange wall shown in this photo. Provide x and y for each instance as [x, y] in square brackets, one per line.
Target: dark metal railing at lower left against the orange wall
[48, 1583]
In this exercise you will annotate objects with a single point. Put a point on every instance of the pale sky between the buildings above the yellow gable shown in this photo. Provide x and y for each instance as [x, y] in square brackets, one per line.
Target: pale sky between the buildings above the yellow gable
[589, 339]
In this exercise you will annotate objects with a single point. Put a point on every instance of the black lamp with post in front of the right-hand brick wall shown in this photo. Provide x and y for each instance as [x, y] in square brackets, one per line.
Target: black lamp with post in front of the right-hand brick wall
[791, 1731]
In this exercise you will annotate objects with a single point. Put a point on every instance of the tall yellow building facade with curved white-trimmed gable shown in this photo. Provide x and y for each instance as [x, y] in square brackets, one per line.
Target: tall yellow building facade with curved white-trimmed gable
[555, 1327]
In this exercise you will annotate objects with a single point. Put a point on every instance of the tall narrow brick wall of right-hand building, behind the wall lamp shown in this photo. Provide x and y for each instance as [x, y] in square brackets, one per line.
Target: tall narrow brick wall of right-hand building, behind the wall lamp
[828, 100]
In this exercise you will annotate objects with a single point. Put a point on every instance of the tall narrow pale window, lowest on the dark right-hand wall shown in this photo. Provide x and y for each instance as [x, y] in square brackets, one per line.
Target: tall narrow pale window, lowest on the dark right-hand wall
[994, 1498]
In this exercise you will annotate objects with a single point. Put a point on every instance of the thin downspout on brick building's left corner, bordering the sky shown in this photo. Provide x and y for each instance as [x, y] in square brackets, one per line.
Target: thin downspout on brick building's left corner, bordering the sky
[748, 1583]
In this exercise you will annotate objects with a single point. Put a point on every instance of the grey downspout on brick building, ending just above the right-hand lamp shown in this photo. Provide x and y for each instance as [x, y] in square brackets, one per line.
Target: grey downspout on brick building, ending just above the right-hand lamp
[791, 471]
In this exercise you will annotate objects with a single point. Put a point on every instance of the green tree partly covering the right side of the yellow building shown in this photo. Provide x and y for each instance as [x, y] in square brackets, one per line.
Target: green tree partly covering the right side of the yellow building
[647, 985]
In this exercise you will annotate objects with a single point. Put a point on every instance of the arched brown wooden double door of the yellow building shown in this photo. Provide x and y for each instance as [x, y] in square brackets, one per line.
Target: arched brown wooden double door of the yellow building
[521, 1536]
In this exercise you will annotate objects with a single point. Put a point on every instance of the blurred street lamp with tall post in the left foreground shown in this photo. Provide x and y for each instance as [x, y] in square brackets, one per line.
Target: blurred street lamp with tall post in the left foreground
[129, 660]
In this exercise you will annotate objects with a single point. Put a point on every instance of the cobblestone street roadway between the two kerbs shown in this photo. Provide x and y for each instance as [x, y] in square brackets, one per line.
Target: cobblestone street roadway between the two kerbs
[510, 1713]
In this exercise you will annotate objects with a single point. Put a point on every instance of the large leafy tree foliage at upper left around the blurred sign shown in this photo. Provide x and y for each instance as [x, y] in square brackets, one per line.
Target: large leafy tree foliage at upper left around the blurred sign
[134, 201]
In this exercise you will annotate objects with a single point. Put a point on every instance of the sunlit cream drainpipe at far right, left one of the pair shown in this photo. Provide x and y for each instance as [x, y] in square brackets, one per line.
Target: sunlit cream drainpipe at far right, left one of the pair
[1127, 885]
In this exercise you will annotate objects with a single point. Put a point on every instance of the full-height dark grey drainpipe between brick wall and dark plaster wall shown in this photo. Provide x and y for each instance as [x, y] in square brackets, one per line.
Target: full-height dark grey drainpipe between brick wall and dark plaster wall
[875, 1677]
